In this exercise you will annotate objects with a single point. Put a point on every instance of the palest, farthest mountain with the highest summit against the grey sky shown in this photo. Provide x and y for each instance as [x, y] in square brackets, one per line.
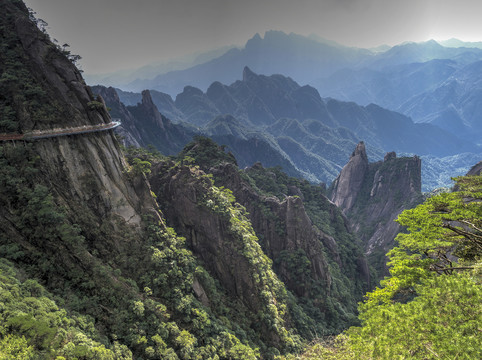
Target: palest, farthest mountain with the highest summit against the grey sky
[296, 56]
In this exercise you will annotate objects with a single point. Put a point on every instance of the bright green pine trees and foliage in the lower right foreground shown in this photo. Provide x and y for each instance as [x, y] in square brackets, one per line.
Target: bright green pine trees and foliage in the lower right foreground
[430, 305]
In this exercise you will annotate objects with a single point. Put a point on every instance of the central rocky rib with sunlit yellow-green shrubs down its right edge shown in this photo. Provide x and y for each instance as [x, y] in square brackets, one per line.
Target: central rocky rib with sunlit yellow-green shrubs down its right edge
[222, 238]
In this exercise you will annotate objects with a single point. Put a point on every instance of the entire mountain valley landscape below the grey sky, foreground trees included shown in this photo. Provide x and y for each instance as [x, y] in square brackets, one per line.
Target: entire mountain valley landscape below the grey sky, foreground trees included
[251, 203]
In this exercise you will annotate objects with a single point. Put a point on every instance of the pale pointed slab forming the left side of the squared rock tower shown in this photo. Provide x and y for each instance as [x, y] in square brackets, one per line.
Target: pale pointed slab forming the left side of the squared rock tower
[348, 184]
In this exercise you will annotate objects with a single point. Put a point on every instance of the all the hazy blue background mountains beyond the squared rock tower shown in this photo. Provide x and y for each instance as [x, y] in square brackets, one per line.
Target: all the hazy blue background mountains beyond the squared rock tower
[434, 85]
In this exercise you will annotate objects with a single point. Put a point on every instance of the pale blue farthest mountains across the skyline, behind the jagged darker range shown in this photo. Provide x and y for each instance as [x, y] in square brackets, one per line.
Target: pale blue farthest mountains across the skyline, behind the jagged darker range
[427, 81]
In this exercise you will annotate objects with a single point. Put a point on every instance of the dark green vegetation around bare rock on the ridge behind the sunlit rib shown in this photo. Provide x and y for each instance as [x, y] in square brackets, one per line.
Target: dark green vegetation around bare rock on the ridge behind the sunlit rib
[330, 308]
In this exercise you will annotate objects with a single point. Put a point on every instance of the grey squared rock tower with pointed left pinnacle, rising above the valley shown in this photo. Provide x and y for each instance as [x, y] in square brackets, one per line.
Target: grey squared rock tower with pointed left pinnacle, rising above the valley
[373, 195]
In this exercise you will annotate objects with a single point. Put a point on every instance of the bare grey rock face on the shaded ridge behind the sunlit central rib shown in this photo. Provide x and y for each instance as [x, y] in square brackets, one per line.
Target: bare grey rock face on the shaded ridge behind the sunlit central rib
[284, 227]
